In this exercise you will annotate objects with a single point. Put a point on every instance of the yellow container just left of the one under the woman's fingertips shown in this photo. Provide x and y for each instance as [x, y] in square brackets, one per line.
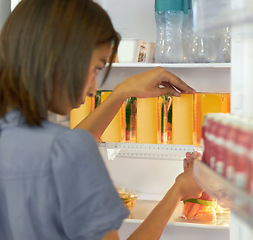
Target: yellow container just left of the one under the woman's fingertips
[148, 128]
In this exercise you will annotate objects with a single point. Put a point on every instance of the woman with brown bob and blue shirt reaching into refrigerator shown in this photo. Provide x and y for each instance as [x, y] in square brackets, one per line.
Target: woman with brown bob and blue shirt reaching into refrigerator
[53, 182]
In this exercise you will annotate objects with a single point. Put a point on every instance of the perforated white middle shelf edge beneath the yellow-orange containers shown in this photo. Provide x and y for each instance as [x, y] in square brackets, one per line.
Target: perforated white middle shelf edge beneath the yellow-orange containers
[147, 151]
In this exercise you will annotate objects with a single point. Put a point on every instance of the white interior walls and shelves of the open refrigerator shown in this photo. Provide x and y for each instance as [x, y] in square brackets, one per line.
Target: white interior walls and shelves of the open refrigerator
[153, 173]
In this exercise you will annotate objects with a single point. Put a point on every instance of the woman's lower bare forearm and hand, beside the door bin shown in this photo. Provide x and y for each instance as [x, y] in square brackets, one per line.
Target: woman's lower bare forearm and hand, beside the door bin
[185, 187]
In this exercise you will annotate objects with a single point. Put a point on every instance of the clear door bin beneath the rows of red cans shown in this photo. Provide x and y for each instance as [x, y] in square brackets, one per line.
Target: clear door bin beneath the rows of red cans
[238, 200]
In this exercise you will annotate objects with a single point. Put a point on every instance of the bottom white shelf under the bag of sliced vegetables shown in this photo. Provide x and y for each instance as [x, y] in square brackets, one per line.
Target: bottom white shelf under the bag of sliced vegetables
[176, 229]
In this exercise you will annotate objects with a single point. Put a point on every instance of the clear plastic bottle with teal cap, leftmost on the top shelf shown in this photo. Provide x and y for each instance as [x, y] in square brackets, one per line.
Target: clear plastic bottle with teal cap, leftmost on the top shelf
[169, 19]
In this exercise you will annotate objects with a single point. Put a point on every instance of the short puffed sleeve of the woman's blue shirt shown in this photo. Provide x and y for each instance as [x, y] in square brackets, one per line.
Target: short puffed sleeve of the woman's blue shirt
[89, 205]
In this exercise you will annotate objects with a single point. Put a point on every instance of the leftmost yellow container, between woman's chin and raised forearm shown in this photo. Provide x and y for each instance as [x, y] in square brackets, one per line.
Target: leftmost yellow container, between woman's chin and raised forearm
[78, 114]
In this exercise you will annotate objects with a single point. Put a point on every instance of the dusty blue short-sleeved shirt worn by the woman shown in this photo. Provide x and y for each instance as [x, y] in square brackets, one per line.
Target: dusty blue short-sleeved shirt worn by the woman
[54, 184]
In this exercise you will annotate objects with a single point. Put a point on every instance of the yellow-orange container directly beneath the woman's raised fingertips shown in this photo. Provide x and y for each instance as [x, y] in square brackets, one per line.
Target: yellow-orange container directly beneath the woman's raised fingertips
[182, 119]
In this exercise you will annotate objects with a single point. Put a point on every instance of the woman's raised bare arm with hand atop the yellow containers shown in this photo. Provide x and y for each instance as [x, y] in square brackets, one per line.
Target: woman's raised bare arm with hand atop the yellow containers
[147, 84]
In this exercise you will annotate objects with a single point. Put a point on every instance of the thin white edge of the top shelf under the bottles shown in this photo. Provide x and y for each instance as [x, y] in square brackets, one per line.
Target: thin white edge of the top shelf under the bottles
[174, 65]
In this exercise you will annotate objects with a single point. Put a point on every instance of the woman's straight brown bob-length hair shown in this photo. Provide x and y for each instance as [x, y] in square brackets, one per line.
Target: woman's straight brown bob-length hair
[47, 45]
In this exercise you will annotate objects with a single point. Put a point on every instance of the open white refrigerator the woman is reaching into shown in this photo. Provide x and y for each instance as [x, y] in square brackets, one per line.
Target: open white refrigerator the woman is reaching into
[150, 169]
